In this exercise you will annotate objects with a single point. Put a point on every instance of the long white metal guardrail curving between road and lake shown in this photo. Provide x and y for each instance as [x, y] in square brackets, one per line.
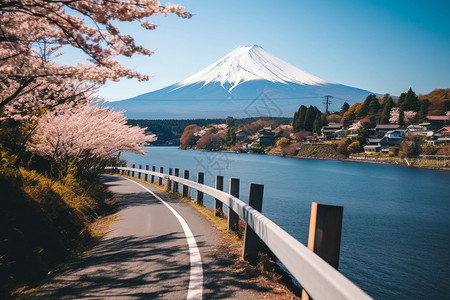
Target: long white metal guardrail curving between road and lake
[317, 277]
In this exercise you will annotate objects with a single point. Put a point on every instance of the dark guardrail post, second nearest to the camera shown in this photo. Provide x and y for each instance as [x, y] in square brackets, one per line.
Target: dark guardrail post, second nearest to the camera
[251, 239]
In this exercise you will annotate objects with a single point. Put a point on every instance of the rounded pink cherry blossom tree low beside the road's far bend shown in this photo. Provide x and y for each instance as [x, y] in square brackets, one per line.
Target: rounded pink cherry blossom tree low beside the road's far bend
[85, 136]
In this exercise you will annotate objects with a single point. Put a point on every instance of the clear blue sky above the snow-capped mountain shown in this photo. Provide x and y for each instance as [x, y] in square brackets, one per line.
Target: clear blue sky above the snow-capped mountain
[382, 46]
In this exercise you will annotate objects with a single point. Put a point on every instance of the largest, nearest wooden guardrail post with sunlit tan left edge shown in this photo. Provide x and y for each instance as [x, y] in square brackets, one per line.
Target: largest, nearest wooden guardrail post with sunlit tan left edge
[324, 239]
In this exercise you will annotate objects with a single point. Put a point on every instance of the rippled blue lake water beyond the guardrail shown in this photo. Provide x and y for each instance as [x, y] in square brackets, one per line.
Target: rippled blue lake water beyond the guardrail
[396, 226]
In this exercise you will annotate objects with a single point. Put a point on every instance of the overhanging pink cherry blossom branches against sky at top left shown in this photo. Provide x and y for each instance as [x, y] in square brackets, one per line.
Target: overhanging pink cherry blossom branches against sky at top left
[32, 33]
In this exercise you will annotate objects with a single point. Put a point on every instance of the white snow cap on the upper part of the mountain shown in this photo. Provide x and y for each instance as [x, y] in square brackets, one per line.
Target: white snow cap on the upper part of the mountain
[250, 63]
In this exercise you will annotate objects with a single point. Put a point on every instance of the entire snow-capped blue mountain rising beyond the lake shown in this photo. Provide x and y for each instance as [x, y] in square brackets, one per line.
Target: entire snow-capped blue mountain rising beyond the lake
[247, 82]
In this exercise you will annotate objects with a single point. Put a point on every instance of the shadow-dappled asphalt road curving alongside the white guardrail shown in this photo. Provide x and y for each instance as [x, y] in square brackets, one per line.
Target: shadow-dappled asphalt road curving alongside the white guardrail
[159, 247]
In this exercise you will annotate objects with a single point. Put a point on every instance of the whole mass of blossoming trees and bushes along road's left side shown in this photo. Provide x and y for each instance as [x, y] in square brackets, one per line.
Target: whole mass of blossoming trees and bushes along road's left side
[55, 138]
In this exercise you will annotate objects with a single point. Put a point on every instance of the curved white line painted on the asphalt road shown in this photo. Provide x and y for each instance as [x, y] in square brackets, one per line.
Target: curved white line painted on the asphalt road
[196, 277]
